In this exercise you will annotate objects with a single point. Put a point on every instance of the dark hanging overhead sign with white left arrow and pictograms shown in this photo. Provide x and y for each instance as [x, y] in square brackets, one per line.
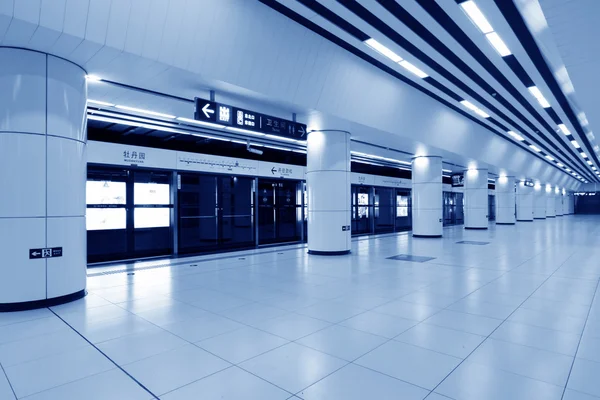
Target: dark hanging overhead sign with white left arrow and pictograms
[223, 114]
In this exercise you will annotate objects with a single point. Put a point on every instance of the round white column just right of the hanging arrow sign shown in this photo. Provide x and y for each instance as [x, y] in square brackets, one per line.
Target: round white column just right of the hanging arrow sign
[328, 186]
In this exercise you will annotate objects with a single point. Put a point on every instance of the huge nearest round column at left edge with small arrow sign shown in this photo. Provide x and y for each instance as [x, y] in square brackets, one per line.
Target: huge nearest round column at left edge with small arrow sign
[42, 174]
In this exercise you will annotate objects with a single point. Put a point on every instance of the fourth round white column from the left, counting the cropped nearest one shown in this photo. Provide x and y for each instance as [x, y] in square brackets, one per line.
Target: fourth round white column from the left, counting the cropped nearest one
[476, 199]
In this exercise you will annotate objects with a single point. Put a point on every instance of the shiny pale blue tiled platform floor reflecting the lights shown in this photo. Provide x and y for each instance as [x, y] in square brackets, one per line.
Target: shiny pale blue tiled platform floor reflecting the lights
[517, 318]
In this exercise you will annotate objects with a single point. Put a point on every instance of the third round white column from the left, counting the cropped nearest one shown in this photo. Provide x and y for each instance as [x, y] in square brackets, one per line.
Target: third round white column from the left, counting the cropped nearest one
[427, 196]
